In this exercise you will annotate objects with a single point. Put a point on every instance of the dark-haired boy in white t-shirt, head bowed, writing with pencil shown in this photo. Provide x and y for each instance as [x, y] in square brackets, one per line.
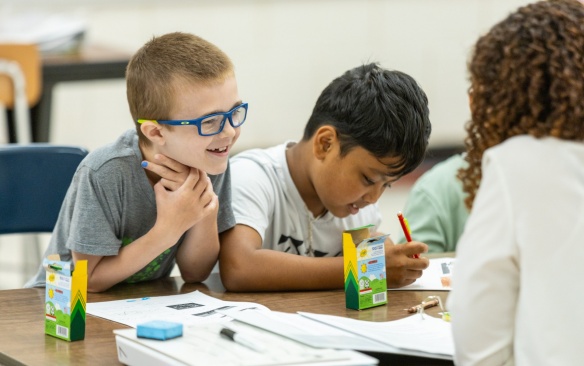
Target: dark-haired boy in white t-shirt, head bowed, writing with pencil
[368, 128]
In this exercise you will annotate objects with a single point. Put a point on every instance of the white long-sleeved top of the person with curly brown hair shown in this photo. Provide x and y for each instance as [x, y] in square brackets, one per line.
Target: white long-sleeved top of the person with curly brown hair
[516, 287]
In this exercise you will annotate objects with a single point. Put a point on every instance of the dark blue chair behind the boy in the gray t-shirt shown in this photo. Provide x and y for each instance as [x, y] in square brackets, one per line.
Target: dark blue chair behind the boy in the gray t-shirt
[34, 179]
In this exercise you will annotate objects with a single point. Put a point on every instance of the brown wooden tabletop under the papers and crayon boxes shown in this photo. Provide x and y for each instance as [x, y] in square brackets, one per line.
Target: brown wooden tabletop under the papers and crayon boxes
[22, 340]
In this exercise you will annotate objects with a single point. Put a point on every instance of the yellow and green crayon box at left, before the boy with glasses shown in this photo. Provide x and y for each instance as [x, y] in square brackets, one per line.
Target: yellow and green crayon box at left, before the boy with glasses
[65, 295]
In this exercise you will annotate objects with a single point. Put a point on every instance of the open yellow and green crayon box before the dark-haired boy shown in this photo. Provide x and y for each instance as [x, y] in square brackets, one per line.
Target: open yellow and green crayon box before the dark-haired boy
[365, 277]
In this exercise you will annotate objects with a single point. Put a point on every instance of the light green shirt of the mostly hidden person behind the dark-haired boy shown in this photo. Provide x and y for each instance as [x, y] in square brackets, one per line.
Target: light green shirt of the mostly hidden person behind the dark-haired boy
[435, 207]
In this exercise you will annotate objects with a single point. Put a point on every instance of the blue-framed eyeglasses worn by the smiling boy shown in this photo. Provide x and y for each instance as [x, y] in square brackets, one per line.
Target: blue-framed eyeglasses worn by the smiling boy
[211, 124]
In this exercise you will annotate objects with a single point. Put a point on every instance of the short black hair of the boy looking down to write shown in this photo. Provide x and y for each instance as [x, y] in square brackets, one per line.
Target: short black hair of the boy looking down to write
[385, 112]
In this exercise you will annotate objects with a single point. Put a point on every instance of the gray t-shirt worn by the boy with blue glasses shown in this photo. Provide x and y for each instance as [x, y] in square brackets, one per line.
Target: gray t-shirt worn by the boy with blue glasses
[111, 203]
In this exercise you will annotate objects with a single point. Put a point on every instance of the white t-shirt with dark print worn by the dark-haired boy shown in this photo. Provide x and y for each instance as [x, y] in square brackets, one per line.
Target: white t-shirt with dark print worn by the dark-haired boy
[265, 198]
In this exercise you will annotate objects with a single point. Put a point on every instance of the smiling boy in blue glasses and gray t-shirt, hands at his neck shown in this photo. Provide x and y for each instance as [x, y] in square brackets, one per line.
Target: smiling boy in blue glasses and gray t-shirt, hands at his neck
[132, 224]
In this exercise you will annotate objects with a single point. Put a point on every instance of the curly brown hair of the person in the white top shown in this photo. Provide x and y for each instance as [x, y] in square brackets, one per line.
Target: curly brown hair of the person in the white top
[527, 78]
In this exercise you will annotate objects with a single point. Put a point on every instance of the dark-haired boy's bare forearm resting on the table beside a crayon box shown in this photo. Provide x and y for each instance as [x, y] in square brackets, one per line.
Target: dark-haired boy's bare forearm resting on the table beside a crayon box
[269, 270]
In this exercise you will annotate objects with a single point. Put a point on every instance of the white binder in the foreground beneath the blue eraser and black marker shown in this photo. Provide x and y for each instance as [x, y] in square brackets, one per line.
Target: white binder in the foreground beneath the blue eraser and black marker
[203, 345]
